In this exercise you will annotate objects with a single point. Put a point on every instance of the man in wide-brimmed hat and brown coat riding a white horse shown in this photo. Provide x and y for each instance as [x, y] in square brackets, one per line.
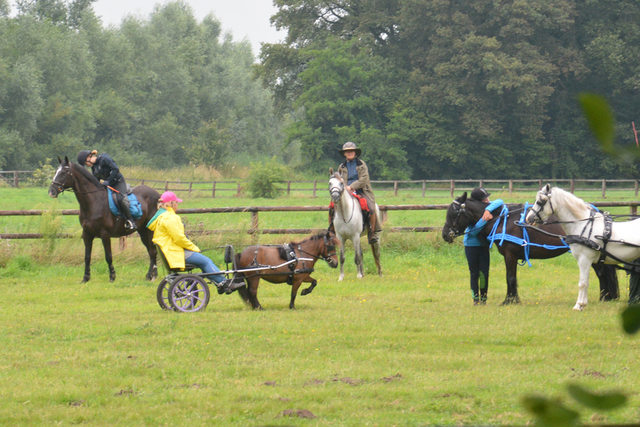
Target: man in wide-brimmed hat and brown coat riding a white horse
[356, 174]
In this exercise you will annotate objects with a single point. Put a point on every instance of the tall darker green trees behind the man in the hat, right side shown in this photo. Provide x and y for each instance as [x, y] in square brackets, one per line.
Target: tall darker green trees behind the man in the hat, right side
[456, 88]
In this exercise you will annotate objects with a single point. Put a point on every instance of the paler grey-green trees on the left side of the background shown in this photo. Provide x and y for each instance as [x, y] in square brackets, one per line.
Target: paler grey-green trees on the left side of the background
[167, 91]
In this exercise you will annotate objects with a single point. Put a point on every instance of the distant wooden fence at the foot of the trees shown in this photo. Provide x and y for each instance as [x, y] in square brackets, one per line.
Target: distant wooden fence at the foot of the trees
[235, 188]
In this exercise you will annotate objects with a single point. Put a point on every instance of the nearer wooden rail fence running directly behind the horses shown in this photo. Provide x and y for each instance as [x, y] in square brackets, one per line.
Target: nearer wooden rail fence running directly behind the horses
[255, 210]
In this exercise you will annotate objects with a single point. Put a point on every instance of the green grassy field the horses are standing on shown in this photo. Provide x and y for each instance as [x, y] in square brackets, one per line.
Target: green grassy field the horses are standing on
[407, 349]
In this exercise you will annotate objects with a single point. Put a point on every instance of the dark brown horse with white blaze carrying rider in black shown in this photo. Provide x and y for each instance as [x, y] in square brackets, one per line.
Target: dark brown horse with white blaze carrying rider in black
[97, 220]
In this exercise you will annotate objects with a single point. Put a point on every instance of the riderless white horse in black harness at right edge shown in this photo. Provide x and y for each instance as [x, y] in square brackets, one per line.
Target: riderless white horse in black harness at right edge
[590, 233]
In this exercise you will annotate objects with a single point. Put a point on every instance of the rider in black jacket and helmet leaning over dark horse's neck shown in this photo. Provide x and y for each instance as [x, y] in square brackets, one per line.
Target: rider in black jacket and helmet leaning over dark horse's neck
[103, 167]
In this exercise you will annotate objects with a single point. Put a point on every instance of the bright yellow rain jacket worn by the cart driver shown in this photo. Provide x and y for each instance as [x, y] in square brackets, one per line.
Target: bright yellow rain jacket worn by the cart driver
[168, 233]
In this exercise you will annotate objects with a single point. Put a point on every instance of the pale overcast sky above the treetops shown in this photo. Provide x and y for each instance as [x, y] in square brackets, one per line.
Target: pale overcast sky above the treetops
[243, 18]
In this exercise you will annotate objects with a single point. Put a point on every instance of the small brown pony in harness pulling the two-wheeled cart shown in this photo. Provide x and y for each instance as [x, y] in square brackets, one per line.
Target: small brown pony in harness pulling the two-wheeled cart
[319, 246]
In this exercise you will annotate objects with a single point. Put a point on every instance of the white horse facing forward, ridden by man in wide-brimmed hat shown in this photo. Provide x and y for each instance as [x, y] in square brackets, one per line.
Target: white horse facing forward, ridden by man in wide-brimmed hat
[348, 224]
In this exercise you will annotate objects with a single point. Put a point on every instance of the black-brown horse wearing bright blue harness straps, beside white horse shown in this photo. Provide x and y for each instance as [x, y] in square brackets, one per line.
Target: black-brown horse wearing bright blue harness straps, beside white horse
[467, 211]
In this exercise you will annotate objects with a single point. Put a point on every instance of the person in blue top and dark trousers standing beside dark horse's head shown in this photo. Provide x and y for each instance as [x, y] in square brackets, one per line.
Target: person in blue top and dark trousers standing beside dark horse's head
[476, 248]
